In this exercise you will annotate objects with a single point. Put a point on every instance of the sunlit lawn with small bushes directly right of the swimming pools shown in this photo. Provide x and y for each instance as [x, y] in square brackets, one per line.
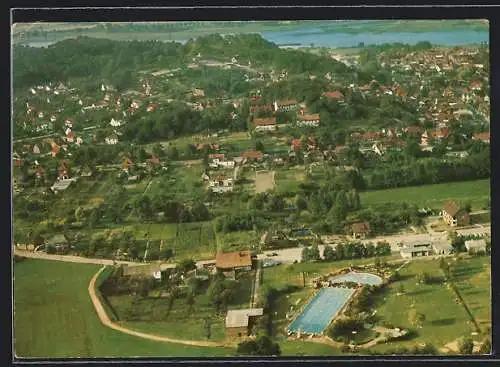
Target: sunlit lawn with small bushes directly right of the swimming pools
[445, 319]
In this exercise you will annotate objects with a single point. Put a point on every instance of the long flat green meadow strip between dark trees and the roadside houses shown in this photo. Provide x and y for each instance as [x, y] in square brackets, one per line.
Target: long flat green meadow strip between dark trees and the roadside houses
[435, 196]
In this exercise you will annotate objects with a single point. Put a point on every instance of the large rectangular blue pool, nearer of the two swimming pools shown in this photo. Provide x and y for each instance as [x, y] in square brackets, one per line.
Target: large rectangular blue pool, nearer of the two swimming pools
[320, 310]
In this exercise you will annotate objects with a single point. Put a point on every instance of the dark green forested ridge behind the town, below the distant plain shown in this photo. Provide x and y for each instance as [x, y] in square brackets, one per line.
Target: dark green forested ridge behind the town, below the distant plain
[116, 61]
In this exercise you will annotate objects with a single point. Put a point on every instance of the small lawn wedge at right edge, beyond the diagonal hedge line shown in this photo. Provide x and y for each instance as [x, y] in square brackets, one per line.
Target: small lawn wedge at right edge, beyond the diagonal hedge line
[473, 280]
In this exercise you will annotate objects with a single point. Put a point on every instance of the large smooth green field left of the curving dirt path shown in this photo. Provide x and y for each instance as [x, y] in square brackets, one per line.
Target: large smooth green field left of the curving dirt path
[54, 317]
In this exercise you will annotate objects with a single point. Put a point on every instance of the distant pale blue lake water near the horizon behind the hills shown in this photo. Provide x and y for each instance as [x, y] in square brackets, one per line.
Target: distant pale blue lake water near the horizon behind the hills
[328, 38]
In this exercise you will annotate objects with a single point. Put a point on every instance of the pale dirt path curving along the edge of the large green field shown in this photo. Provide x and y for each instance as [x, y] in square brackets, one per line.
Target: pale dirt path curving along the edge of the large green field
[105, 320]
